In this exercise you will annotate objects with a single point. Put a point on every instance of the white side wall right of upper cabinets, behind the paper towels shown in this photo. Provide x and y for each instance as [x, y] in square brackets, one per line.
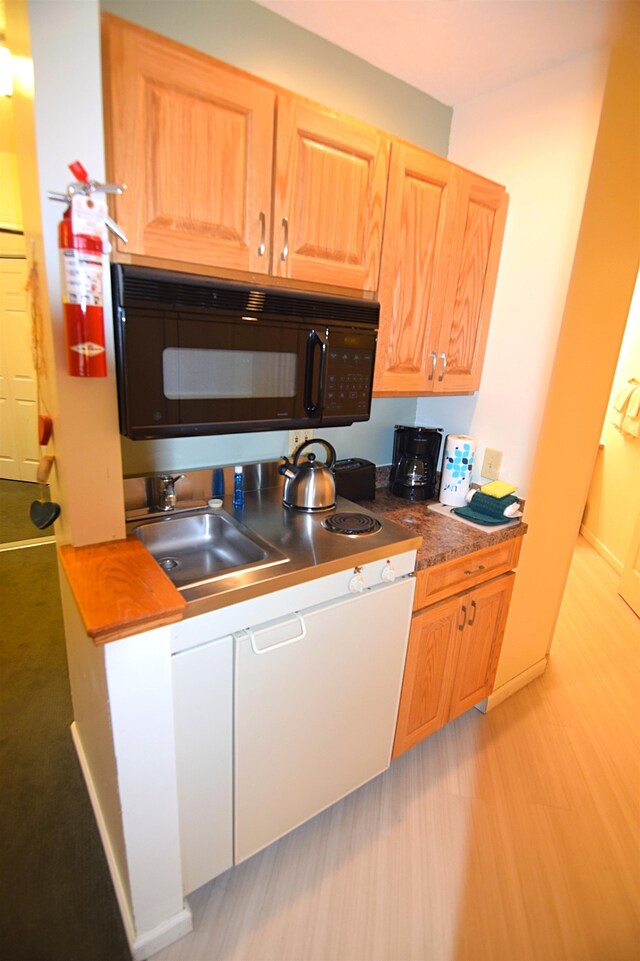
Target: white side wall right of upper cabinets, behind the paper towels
[536, 137]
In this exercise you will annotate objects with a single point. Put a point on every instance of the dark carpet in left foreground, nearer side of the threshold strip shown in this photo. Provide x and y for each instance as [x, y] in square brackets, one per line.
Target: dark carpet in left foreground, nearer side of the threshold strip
[56, 897]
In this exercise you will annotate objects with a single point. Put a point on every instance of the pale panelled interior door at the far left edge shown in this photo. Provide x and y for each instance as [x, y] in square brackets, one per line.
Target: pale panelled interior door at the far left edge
[19, 450]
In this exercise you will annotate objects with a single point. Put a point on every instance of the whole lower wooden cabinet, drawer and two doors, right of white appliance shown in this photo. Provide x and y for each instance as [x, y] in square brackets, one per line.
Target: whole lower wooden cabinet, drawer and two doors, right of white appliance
[454, 643]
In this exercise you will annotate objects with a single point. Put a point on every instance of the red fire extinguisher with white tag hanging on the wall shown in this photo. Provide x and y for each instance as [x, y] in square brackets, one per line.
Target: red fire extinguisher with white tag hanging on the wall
[81, 238]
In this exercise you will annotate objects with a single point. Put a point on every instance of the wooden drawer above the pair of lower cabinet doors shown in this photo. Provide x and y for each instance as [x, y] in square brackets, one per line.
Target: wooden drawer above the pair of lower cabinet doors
[444, 580]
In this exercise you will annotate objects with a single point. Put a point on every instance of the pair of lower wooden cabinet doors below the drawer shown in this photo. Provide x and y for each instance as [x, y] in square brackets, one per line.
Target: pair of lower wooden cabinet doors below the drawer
[452, 657]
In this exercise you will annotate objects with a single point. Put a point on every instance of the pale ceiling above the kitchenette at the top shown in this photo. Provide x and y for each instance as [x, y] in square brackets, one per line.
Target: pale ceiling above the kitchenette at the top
[456, 50]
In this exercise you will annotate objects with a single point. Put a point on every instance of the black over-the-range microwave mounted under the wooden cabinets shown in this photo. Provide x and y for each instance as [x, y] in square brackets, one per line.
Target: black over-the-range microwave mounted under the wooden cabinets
[196, 355]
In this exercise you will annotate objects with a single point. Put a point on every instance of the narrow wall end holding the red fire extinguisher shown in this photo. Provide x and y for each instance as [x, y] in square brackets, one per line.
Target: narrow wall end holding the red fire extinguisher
[63, 123]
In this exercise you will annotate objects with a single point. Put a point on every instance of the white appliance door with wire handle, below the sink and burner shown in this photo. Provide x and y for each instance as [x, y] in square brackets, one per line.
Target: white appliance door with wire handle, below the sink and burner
[316, 697]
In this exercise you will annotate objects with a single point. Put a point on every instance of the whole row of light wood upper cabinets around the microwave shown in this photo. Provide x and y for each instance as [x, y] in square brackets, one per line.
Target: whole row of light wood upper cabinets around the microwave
[226, 171]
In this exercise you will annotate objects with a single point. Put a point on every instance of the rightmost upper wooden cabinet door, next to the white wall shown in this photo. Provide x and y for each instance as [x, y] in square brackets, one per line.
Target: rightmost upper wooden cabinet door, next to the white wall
[480, 221]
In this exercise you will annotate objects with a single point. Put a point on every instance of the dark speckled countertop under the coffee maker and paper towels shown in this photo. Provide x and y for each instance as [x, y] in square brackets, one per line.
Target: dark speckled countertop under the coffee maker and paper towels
[443, 538]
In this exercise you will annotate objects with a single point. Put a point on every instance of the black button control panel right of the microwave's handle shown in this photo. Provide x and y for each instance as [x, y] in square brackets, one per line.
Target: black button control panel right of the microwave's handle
[349, 373]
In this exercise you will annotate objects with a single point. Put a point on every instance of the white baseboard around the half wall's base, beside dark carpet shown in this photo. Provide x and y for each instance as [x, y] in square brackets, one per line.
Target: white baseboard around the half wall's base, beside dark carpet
[143, 945]
